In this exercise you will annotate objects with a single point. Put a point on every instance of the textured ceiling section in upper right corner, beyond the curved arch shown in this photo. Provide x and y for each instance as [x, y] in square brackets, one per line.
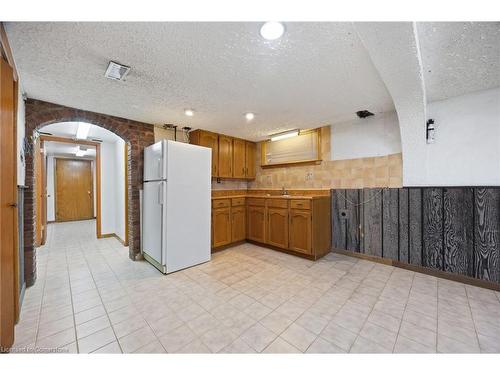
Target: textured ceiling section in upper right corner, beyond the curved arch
[459, 57]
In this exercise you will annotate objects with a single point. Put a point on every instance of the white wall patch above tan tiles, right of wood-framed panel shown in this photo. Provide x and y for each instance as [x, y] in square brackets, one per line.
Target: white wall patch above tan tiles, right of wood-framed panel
[373, 136]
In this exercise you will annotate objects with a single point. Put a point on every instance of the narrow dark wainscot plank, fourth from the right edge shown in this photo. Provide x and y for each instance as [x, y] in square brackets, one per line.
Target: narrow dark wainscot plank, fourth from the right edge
[415, 226]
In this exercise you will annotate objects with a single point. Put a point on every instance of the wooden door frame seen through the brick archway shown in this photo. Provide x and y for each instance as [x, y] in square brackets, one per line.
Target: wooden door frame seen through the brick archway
[97, 145]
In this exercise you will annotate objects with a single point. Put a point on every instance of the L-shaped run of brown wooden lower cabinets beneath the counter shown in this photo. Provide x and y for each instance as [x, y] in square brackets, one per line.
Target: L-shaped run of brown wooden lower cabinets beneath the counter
[302, 226]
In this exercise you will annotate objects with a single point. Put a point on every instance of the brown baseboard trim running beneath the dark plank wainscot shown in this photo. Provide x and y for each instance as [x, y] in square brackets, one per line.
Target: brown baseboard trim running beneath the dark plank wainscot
[424, 270]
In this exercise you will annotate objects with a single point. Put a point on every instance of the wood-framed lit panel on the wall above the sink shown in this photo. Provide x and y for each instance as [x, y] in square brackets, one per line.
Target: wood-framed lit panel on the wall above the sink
[304, 148]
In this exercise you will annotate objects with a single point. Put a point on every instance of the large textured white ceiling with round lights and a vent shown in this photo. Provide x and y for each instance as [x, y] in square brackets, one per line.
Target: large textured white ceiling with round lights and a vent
[316, 74]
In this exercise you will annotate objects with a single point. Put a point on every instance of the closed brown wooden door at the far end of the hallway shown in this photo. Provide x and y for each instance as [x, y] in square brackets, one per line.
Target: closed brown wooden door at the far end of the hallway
[74, 190]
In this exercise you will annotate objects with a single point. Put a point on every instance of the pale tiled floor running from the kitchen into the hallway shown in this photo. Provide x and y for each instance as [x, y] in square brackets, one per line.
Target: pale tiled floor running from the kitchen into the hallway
[89, 297]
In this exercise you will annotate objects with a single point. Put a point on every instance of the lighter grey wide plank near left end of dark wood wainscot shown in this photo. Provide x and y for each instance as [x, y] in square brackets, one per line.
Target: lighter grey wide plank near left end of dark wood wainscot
[372, 221]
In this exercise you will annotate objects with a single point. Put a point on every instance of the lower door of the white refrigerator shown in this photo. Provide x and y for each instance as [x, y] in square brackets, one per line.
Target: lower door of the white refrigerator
[154, 197]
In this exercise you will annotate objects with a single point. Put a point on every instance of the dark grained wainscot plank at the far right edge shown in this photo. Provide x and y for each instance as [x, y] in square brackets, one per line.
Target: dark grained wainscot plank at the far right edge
[487, 234]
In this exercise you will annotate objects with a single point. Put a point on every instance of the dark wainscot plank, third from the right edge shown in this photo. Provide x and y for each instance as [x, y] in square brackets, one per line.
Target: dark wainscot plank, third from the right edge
[433, 228]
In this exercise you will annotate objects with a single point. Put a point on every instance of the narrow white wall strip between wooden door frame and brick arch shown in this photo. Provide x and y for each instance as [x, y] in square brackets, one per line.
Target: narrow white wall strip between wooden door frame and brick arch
[120, 187]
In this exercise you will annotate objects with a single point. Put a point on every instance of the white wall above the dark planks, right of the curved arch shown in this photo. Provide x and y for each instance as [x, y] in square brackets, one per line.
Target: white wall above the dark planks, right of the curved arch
[467, 147]
